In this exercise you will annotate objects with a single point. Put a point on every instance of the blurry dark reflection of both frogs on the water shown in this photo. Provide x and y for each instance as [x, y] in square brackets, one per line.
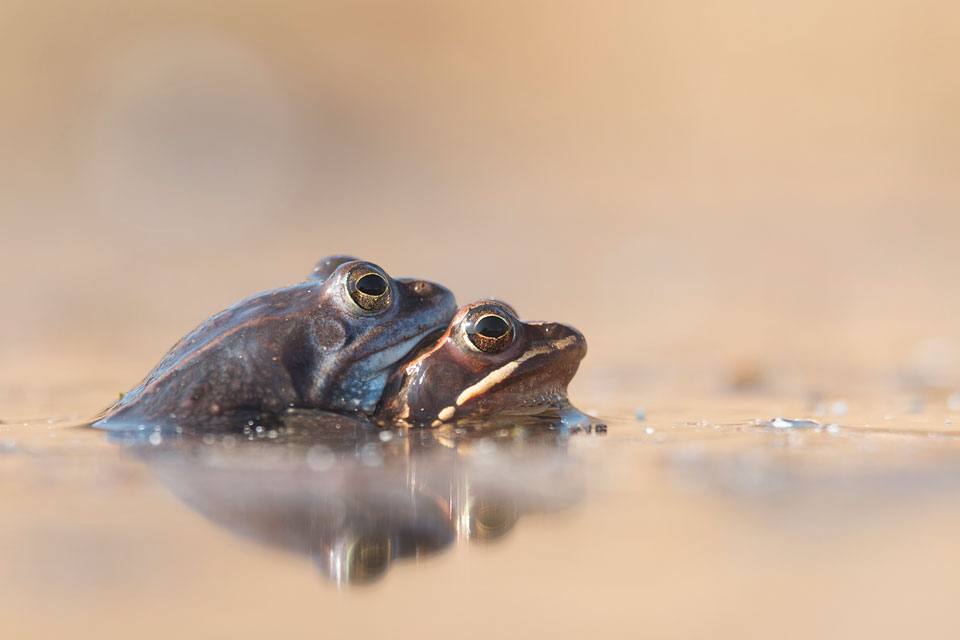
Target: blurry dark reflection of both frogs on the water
[355, 497]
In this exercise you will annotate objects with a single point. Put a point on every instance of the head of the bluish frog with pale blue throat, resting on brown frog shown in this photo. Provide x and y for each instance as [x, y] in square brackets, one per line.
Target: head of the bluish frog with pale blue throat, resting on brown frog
[365, 325]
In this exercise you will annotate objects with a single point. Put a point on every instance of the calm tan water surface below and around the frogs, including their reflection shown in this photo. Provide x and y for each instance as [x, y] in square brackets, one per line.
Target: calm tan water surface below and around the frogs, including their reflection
[726, 514]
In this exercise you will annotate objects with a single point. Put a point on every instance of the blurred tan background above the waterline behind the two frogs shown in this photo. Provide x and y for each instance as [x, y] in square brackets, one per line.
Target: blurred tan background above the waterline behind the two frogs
[740, 189]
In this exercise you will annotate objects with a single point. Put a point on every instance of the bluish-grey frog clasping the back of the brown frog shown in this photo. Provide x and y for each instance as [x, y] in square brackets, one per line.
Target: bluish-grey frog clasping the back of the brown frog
[327, 343]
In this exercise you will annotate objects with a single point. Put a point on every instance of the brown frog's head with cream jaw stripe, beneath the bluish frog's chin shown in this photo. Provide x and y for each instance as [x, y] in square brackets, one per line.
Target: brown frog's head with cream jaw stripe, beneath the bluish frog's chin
[486, 362]
